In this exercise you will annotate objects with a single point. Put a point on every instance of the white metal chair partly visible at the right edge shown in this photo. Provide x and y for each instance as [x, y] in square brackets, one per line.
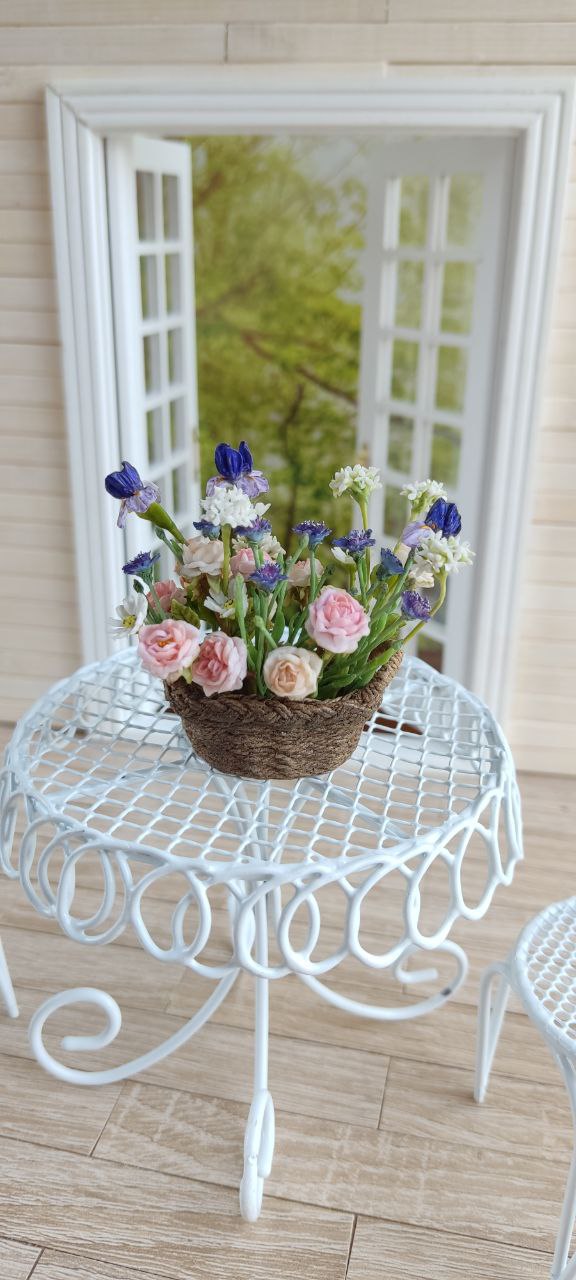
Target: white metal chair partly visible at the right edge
[542, 971]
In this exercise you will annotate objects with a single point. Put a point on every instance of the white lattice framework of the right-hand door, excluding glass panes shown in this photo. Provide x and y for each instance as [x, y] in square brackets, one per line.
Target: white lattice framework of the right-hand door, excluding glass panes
[436, 159]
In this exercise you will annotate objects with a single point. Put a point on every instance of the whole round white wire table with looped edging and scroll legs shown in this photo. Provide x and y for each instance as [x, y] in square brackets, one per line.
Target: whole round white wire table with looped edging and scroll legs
[99, 770]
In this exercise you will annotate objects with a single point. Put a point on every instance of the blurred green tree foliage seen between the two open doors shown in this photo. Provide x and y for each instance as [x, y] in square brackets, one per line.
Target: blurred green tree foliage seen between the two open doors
[280, 232]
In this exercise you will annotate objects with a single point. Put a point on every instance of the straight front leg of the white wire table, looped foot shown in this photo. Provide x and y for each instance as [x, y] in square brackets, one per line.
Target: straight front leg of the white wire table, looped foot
[259, 1139]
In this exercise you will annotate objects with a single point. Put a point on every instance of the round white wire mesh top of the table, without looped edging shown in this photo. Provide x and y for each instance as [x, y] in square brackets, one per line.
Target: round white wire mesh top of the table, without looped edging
[100, 751]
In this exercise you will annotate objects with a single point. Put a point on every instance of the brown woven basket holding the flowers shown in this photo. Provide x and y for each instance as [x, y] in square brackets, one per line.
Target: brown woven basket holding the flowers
[273, 738]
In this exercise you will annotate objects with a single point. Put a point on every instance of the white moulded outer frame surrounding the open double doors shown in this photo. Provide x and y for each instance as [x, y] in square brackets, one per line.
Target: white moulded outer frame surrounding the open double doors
[317, 100]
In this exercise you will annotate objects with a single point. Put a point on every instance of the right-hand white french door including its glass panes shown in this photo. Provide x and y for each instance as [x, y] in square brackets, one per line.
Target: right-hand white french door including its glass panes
[435, 266]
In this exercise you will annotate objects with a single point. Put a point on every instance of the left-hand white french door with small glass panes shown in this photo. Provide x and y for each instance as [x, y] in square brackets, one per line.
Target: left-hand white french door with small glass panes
[150, 218]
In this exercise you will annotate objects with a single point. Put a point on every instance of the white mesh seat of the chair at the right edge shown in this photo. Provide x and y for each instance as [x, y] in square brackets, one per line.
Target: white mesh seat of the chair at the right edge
[546, 972]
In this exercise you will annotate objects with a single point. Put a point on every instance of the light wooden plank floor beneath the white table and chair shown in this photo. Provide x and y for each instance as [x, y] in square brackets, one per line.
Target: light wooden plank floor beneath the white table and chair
[385, 1167]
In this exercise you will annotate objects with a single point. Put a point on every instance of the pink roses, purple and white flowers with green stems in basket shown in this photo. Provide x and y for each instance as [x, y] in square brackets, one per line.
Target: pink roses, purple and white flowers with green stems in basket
[245, 618]
